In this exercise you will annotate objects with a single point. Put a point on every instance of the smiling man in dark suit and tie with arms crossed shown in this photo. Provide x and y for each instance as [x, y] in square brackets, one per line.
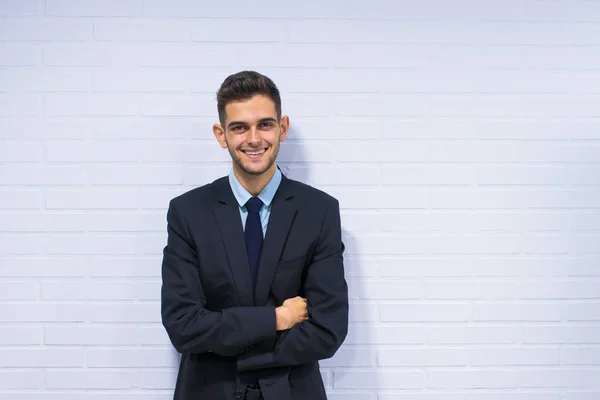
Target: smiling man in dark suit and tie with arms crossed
[253, 290]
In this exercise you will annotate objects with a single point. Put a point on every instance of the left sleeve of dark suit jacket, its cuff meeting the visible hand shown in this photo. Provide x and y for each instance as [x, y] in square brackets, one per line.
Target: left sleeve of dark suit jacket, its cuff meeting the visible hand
[190, 326]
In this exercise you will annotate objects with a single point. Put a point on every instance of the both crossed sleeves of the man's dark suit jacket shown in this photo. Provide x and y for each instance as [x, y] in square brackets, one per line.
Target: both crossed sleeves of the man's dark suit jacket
[251, 333]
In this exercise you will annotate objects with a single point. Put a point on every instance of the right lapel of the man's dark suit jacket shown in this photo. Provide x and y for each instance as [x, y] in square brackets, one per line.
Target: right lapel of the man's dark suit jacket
[282, 215]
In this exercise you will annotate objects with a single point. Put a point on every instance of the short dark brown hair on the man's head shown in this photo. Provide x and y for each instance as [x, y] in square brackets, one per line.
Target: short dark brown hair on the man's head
[243, 86]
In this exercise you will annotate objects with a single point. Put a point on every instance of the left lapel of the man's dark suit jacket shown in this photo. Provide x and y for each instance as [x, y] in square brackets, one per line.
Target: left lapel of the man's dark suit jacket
[227, 212]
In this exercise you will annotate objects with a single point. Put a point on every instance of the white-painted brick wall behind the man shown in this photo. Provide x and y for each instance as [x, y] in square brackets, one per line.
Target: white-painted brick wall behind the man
[462, 139]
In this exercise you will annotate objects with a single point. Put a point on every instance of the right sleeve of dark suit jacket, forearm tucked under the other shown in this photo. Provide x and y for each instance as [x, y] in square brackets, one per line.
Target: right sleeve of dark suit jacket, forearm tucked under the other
[327, 295]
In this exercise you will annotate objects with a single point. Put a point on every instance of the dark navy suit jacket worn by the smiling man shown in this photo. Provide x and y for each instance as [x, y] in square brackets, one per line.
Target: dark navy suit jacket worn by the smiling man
[221, 328]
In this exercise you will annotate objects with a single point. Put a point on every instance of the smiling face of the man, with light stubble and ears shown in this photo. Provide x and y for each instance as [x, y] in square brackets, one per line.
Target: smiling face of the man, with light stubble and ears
[252, 134]
